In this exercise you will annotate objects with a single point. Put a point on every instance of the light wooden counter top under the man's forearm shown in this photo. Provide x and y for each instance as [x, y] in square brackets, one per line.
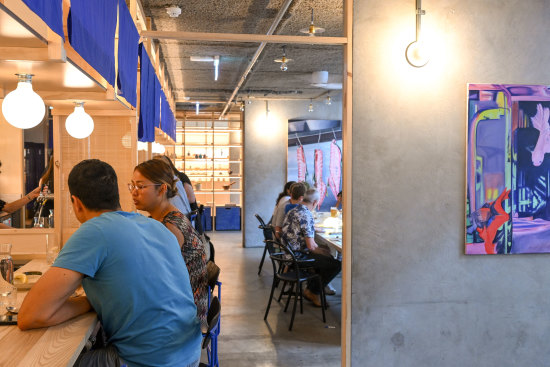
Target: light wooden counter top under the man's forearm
[57, 345]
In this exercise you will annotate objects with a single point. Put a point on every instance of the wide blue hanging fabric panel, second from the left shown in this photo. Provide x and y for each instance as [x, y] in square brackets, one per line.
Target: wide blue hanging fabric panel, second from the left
[92, 26]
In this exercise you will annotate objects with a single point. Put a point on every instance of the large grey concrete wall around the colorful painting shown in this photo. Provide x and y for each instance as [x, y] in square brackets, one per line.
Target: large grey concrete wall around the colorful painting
[417, 300]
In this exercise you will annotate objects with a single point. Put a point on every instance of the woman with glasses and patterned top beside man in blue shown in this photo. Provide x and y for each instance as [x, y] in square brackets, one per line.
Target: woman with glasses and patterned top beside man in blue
[152, 187]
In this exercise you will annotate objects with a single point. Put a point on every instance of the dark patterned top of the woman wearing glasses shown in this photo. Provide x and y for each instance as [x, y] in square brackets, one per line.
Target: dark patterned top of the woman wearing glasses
[195, 259]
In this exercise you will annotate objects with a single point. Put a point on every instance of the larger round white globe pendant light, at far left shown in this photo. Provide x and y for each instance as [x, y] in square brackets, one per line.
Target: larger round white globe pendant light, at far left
[23, 108]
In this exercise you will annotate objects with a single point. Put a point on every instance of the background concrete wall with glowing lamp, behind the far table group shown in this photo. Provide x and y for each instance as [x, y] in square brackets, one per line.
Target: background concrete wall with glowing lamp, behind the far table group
[265, 152]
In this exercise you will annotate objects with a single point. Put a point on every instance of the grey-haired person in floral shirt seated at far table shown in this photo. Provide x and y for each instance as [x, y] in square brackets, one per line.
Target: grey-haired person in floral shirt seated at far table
[299, 234]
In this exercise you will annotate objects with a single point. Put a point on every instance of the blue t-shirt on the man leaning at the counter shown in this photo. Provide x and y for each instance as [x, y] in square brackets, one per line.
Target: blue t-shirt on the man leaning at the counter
[137, 282]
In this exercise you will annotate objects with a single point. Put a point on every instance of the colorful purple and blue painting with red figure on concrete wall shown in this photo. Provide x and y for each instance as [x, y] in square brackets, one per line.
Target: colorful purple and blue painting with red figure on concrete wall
[508, 169]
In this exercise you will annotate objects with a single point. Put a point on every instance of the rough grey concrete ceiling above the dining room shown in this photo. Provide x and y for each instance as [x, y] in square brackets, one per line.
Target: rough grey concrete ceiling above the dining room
[196, 79]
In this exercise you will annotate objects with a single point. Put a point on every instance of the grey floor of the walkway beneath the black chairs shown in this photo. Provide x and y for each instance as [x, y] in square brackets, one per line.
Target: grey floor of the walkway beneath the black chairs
[246, 339]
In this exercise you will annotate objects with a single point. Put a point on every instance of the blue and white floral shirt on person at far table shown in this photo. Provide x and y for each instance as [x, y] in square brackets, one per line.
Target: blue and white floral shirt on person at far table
[297, 226]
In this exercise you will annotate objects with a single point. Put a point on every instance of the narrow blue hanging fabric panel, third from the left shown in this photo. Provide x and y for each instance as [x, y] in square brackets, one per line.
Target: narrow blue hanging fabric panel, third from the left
[128, 42]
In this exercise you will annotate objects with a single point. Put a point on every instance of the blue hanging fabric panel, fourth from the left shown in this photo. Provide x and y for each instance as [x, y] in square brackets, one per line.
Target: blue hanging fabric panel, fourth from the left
[146, 128]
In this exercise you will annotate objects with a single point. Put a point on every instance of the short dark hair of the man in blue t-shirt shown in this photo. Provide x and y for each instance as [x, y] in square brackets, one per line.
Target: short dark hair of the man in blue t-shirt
[95, 183]
